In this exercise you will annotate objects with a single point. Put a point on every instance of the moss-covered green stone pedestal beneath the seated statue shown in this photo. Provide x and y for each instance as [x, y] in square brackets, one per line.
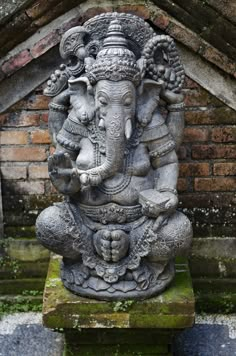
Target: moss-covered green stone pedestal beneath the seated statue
[102, 328]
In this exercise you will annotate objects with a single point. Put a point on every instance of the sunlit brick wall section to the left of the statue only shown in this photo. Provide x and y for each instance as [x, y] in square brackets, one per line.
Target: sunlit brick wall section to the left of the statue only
[25, 147]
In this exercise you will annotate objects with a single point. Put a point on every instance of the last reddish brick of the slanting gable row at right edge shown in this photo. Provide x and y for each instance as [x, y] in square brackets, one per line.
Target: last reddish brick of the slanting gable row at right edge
[214, 56]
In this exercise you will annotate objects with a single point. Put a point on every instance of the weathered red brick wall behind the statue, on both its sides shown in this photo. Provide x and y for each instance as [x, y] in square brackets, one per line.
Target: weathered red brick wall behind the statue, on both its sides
[207, 167]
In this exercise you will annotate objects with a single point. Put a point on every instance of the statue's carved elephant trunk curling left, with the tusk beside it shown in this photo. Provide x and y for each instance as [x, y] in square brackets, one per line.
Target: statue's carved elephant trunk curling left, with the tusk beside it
[116, 131]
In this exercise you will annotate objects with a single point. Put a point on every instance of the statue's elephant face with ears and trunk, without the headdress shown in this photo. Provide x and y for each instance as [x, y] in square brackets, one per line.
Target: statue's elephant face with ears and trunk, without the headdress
[117, 105]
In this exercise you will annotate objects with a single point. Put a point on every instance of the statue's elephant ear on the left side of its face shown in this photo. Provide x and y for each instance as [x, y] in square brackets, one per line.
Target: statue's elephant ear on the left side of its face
[82, 99]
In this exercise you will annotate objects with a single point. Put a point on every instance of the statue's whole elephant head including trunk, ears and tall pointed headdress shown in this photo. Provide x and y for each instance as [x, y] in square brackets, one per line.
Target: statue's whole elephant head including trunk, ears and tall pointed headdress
[115, 81]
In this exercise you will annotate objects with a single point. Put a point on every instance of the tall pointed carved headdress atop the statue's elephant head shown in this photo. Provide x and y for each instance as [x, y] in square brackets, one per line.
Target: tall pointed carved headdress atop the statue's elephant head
[114, 61]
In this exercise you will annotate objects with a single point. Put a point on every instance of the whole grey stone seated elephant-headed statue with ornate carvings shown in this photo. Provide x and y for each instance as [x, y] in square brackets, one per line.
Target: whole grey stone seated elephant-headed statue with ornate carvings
[116, 120]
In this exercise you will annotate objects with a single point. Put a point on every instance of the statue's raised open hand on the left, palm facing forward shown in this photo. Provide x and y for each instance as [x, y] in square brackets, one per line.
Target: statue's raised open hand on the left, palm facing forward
[62, 174]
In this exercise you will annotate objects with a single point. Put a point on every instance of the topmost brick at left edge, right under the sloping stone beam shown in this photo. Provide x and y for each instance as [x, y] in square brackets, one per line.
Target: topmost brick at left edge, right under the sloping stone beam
[23, 119]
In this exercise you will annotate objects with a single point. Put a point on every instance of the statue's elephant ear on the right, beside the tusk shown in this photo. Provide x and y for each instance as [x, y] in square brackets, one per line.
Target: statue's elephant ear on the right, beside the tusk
[147, 100]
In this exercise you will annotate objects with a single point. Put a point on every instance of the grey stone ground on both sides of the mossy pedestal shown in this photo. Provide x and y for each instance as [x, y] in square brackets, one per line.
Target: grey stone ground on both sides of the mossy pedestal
[22, 334]
